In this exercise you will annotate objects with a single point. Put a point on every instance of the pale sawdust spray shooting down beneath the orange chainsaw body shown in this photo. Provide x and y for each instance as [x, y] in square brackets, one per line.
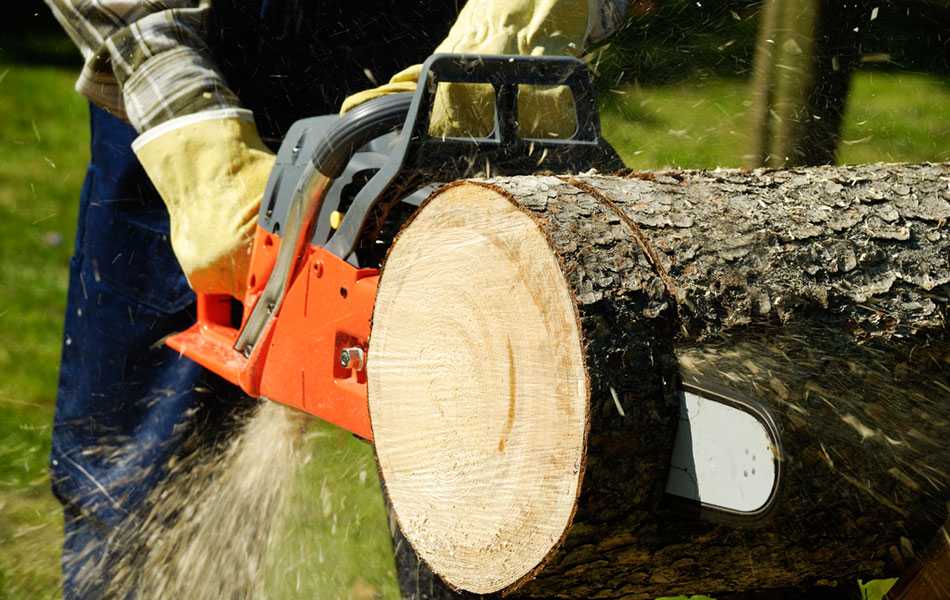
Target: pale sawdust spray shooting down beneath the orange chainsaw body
[209, 527]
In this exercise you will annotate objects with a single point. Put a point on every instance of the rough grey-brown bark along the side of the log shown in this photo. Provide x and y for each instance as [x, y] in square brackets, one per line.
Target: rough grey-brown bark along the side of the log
[820, 292]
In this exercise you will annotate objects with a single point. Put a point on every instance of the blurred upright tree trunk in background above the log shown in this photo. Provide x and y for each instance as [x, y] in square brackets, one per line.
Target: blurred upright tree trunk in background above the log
[805, 55]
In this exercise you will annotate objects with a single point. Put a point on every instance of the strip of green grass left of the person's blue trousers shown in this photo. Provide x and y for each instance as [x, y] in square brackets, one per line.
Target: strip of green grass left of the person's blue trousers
[43, 140]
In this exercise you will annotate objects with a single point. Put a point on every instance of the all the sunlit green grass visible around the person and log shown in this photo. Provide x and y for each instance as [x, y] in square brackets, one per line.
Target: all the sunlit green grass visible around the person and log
[43, 150]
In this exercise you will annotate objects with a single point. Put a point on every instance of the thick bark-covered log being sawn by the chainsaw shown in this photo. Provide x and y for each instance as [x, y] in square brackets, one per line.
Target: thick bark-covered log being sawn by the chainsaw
[530, 333]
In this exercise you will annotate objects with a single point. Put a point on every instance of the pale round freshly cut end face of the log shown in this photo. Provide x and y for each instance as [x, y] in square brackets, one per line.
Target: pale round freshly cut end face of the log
[478, 392]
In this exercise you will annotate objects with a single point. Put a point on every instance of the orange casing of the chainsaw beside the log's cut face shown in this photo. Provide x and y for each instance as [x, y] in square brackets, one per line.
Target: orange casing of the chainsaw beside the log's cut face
[327, 309]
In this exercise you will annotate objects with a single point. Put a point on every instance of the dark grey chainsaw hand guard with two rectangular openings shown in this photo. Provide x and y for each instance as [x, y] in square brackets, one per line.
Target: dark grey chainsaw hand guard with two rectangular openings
[504, 150]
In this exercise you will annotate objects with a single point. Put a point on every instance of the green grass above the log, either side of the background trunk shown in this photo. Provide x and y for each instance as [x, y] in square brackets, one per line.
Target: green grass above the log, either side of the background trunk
[890, 117]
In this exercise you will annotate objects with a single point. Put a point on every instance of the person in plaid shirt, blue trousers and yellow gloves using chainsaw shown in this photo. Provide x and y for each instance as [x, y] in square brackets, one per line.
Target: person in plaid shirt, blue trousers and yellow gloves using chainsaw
[188, 100]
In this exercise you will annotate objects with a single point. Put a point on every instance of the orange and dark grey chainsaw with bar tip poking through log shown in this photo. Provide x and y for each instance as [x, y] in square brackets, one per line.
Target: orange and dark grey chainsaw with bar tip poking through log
[341, 188]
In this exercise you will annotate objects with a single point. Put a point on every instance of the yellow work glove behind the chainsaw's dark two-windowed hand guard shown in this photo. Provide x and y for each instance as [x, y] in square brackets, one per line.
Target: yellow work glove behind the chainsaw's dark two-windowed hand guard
[522, 27]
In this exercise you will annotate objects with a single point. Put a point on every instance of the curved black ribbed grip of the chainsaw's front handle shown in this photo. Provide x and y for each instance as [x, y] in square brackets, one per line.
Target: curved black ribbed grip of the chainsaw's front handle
[357, 128]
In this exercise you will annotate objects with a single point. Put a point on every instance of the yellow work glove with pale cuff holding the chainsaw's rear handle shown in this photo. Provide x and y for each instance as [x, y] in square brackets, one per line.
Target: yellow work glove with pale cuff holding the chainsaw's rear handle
[210, 169]
